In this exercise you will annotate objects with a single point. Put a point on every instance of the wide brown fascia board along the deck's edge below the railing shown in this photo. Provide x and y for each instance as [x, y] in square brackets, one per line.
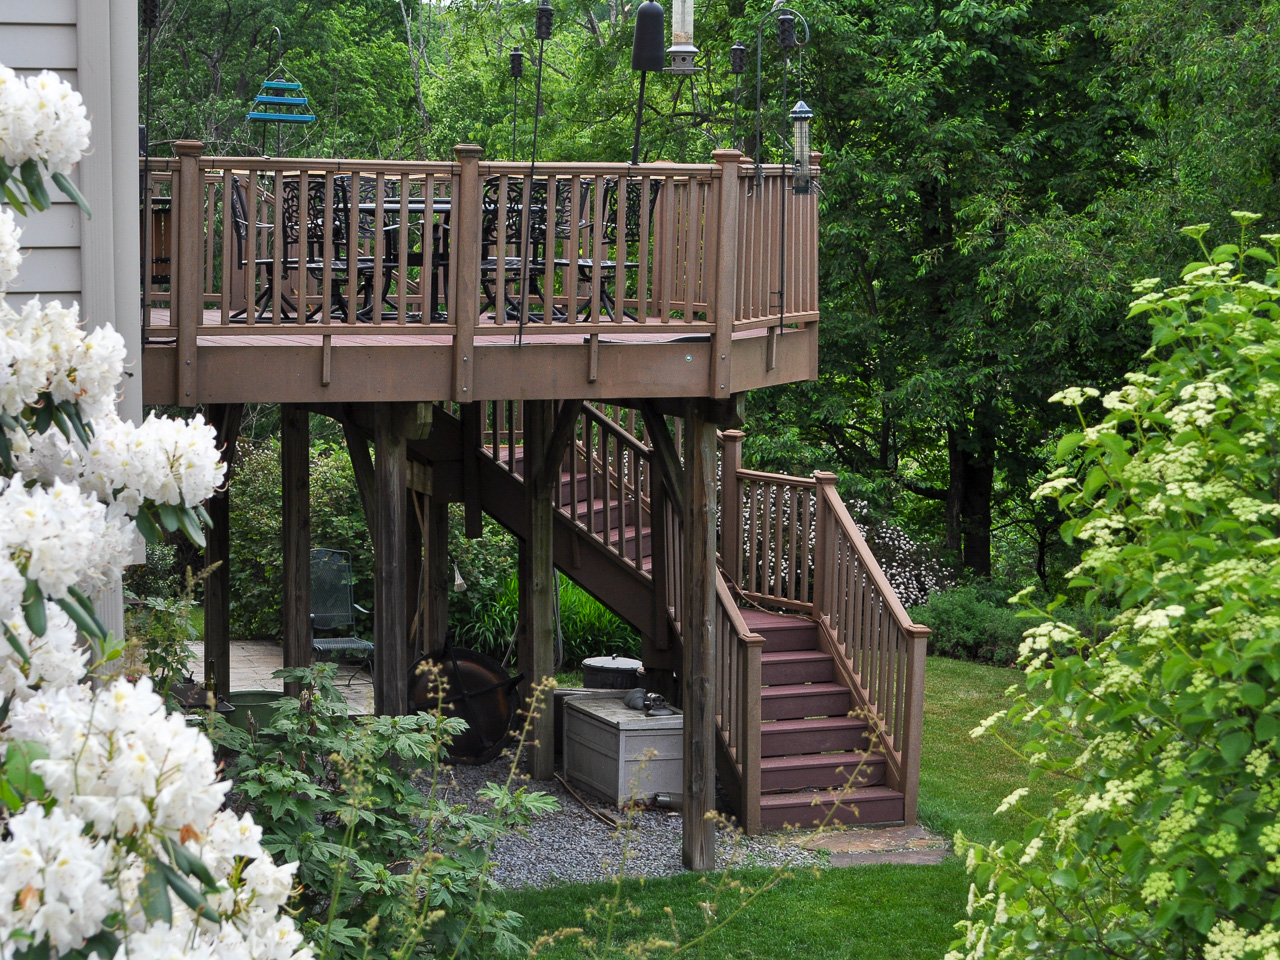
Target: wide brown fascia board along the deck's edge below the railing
[374, 368]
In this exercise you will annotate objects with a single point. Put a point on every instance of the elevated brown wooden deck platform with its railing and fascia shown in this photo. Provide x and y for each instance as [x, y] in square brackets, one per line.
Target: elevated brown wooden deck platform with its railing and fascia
[353, 281]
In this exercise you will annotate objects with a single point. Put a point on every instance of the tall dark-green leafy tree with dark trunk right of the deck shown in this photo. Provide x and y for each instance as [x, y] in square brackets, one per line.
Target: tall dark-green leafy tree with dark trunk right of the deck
[948, 127]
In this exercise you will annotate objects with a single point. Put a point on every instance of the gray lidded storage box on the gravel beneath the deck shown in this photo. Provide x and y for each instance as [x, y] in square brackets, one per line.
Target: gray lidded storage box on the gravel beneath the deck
[620, 753]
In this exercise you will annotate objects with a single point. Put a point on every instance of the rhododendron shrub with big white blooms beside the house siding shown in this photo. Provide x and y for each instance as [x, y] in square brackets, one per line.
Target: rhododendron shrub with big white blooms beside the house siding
[115, 842]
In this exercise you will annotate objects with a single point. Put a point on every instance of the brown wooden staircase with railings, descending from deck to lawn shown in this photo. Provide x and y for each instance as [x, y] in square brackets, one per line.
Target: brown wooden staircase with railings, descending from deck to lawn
[819, 708]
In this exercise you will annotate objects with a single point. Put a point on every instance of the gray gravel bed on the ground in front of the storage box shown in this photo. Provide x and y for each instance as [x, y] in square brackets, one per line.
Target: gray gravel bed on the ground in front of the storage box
[573, 845]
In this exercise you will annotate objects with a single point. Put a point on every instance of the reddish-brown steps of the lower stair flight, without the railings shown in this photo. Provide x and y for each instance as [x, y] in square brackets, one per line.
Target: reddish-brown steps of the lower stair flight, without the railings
[817, 762]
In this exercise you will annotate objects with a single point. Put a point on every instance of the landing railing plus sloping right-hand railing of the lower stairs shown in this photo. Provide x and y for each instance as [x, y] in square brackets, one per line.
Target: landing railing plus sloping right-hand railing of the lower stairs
[799, 550]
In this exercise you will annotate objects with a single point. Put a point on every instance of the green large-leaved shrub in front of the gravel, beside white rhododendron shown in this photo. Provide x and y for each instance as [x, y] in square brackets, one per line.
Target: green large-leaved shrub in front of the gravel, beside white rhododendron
[385, 868]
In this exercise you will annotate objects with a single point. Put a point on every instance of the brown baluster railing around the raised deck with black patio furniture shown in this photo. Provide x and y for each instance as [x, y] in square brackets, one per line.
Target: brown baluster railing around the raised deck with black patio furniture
[472, 249]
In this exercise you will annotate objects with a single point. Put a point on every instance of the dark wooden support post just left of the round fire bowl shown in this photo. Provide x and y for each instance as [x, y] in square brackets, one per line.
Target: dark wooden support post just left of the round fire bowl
[391, 624]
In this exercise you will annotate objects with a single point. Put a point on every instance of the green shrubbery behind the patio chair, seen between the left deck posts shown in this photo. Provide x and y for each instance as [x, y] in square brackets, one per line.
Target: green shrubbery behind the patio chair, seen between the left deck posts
[337, 522]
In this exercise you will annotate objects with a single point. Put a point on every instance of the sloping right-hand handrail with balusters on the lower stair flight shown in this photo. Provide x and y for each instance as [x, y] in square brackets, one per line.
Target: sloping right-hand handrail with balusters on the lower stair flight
[877, 647]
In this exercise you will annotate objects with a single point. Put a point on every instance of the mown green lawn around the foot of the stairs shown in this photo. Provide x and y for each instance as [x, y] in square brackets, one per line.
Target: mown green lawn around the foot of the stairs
[880, 913]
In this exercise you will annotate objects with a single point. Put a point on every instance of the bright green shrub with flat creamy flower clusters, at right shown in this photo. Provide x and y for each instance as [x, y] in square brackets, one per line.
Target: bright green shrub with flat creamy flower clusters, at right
[1167, 844]
